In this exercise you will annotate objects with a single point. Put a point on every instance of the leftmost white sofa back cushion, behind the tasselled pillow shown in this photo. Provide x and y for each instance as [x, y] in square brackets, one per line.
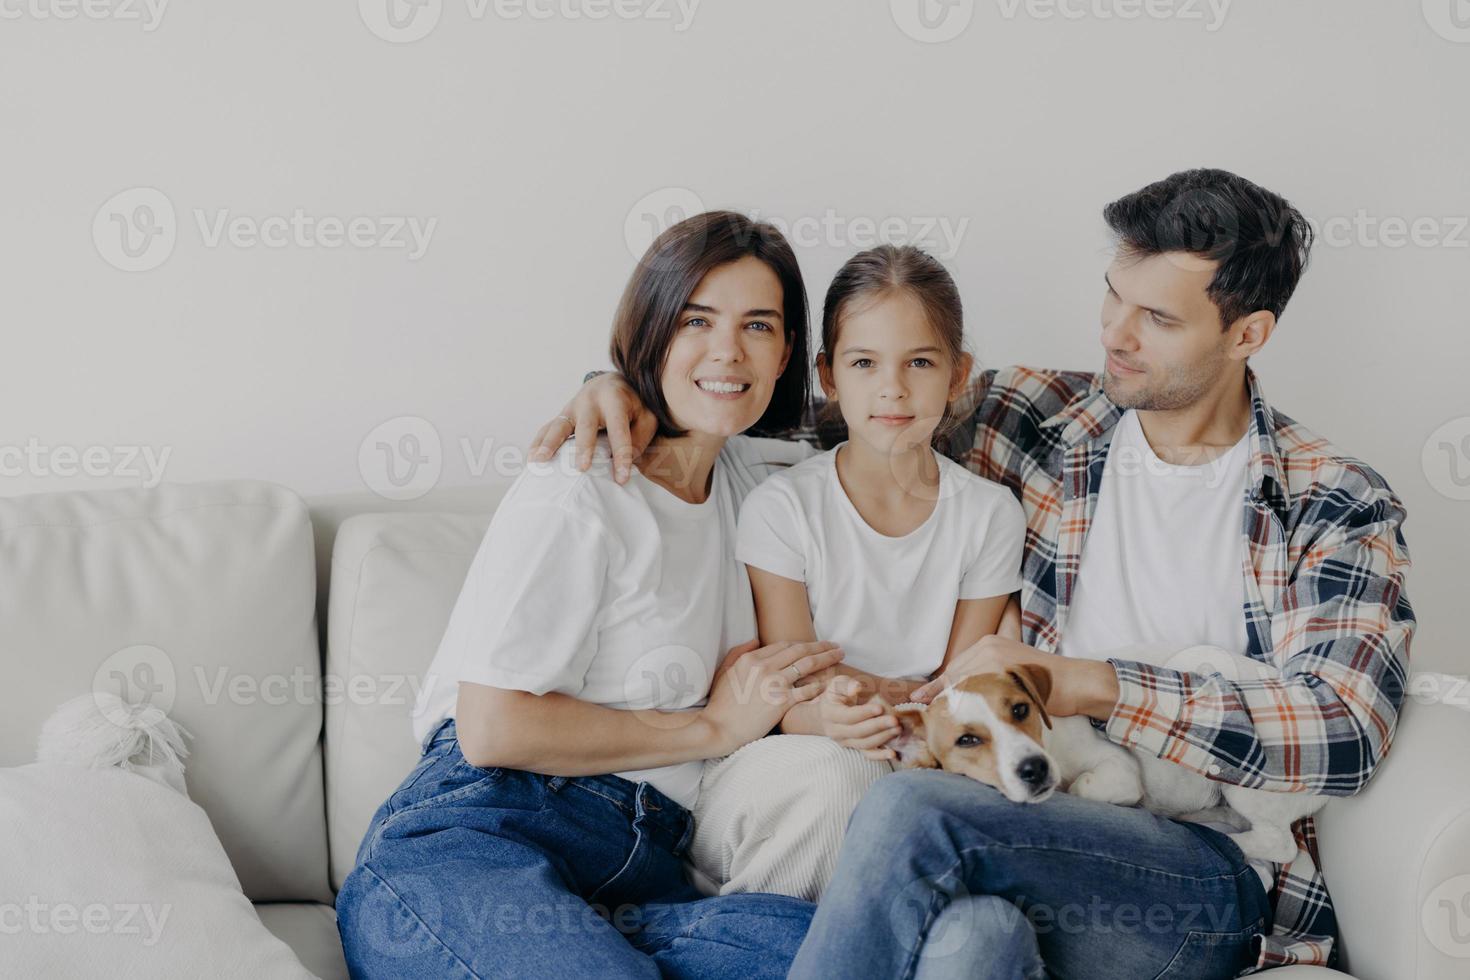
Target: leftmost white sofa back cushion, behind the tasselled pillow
[199, 599]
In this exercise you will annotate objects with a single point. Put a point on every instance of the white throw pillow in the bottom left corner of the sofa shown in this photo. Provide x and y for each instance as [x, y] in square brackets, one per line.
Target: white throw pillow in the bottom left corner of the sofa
[107, 873]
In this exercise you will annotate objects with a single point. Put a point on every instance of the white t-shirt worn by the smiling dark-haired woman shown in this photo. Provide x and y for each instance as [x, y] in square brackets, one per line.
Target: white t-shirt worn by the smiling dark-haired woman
[627, 597]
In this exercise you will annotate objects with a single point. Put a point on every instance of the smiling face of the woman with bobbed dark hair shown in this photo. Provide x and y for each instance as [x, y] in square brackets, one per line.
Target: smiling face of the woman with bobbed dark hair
[728, 352]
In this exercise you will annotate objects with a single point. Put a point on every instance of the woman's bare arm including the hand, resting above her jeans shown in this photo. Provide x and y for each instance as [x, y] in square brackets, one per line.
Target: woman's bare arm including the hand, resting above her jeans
[561, 735]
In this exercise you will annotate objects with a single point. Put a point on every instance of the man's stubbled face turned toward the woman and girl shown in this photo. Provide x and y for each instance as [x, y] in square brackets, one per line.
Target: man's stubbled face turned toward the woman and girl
[1162, 333]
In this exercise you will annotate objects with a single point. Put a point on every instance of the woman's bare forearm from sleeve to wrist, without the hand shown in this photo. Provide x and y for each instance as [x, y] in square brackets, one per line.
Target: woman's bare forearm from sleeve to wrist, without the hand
[559, 735]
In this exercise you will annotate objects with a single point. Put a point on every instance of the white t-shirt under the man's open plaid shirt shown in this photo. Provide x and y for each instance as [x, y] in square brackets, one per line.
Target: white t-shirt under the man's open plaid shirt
[1165, 559]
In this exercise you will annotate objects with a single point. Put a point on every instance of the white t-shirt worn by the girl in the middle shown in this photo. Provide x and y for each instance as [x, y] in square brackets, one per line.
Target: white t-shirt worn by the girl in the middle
[887, 602]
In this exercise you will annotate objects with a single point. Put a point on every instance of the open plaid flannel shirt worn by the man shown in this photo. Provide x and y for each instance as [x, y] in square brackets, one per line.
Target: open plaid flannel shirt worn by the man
[1325, 606]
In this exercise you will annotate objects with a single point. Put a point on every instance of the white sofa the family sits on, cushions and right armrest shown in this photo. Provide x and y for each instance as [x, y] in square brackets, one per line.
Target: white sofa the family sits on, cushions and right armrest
[223, 587]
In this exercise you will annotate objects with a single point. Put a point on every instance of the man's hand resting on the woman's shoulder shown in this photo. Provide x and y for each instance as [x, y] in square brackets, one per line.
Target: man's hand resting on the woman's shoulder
[608, 403]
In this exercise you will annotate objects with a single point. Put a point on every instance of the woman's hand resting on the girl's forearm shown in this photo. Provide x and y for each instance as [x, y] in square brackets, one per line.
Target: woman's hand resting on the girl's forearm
[756, 687]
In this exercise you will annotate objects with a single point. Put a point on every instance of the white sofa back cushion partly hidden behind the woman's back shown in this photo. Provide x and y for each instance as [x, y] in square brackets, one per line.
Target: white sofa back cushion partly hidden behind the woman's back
[395, 583]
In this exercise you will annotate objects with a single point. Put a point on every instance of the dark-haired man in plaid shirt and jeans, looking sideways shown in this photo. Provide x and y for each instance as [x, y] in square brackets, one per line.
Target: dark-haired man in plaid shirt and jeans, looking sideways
[1168, 505]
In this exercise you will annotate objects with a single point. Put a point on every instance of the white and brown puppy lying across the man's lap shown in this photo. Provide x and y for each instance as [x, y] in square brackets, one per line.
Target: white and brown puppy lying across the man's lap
[994, 728]
